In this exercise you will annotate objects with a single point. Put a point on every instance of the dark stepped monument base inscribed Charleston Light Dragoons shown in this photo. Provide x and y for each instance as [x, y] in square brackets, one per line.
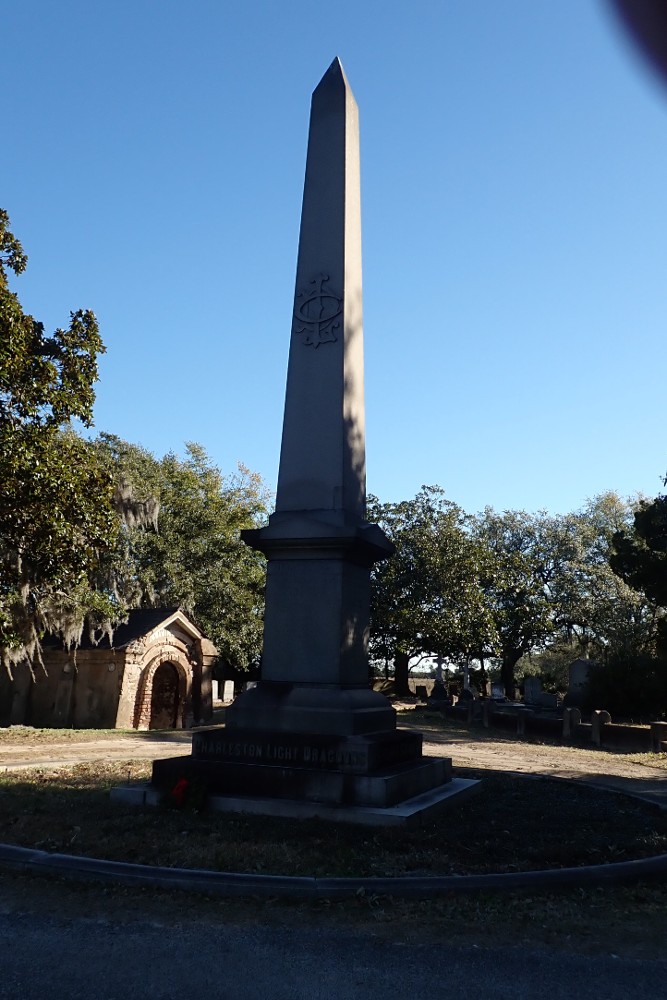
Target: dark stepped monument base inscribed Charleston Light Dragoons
[307, 771]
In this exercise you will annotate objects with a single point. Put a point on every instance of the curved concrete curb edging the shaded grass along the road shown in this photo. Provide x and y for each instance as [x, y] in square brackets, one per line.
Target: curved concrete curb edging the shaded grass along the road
[26, 859]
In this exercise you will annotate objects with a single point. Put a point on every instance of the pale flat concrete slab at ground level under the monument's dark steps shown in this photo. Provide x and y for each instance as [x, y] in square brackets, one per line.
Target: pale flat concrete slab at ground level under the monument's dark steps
[415, 811]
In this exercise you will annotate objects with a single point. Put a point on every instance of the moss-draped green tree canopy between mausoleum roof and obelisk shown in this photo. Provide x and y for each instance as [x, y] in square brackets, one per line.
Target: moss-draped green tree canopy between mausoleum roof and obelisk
[179, 542]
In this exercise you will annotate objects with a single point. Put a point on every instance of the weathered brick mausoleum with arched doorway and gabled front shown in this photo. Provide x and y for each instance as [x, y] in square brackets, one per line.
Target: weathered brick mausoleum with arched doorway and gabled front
[155, 674]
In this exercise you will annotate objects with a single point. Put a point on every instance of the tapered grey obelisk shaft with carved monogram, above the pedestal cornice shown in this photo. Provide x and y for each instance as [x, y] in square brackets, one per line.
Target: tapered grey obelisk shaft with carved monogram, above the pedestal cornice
[322, 459]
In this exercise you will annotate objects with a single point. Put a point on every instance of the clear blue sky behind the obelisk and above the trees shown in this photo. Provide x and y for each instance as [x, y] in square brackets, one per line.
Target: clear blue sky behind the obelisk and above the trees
[514, 203]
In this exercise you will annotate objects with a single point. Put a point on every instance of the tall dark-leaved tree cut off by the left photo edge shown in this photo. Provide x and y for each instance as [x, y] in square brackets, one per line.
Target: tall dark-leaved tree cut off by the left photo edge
[56, 513]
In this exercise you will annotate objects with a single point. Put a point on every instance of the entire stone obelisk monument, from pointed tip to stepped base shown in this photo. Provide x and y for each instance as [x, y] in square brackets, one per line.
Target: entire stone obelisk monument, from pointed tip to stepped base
[313, 737]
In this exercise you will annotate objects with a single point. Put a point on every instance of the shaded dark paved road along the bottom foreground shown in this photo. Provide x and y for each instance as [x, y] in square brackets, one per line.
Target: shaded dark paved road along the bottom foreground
[79, 959]
